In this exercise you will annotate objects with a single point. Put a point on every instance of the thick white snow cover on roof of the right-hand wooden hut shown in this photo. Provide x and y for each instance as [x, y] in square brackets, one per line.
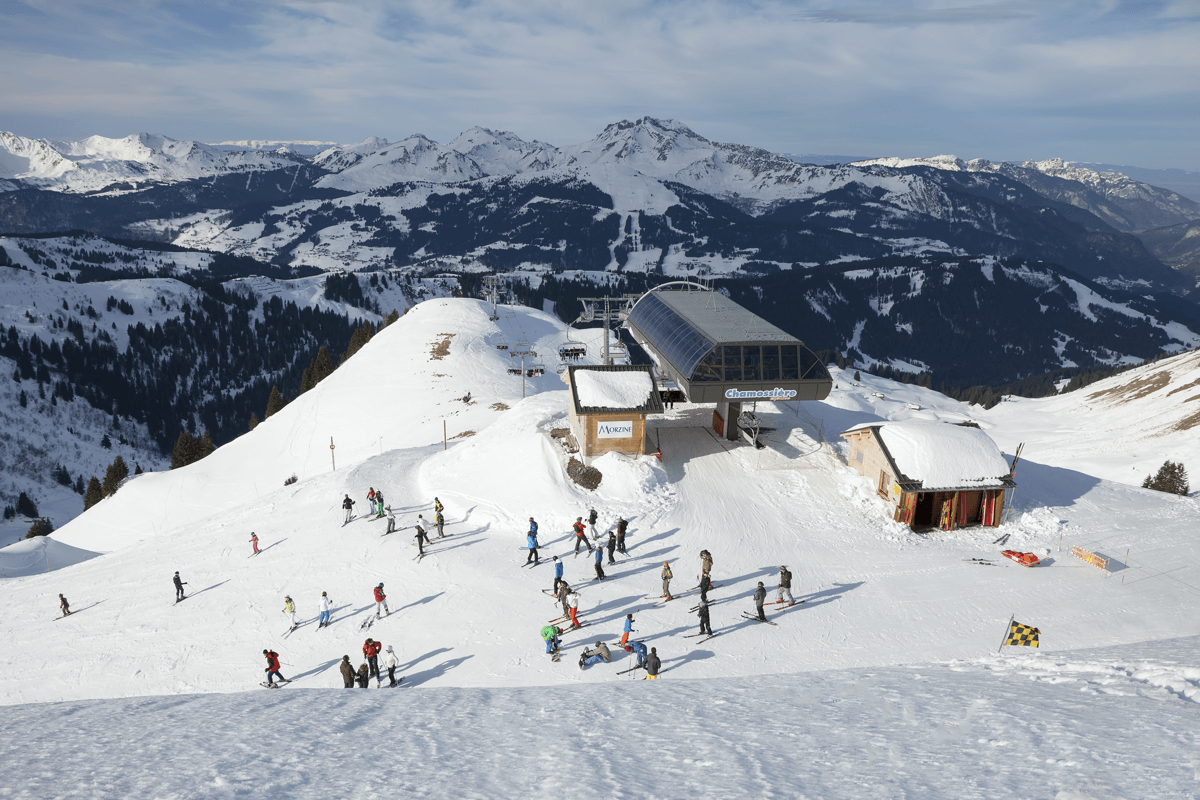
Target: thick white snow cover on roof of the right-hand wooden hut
[943, 456]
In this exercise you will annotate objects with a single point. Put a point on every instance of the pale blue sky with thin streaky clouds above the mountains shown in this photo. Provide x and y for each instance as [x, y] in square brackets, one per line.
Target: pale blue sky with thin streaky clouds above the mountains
[1114, 81]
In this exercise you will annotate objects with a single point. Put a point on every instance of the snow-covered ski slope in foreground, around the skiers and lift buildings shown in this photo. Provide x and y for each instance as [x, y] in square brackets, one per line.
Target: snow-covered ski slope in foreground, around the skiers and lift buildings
[885, 682]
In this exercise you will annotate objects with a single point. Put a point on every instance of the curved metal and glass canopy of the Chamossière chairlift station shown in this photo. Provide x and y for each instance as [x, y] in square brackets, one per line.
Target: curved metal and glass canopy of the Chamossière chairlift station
[716, 351]
